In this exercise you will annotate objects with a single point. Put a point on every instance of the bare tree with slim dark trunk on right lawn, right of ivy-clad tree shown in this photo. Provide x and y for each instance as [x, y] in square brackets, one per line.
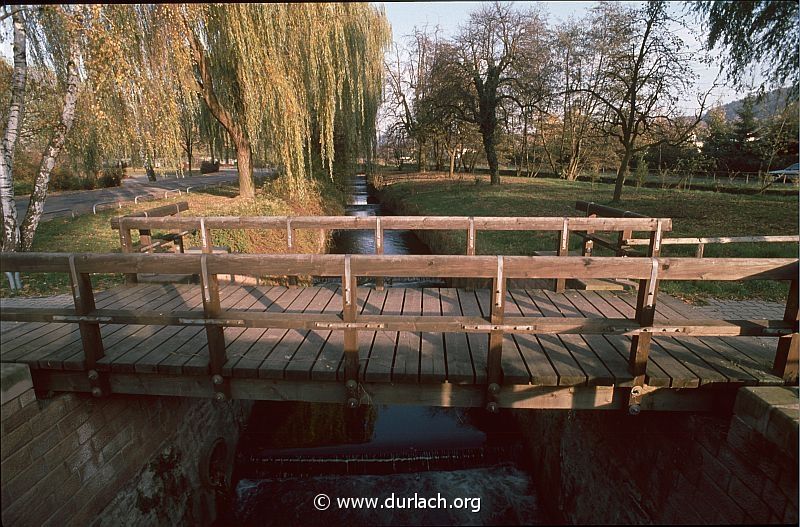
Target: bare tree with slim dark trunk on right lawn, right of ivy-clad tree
[647, 72]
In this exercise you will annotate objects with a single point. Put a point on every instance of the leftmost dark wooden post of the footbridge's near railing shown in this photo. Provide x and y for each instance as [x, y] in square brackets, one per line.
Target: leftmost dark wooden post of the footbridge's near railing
[91, 339]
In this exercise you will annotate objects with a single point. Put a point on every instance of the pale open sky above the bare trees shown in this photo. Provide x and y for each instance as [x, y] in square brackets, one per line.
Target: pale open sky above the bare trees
[404, 16]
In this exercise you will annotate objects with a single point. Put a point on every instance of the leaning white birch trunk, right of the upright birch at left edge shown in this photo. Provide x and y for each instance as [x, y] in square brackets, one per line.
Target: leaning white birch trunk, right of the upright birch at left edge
[39, 194]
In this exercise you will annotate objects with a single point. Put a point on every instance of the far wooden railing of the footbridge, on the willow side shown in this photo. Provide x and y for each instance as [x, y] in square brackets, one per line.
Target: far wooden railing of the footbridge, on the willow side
[564, 226]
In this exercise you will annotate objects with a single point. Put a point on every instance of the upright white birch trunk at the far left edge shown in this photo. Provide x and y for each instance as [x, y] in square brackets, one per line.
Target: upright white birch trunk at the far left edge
[8, 204]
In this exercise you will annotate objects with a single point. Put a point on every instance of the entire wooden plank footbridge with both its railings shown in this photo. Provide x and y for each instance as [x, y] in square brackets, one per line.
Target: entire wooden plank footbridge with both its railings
[499, 343]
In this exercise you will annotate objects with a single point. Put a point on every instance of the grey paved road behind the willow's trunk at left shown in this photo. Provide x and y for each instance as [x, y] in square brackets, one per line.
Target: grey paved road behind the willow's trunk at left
[76, 202]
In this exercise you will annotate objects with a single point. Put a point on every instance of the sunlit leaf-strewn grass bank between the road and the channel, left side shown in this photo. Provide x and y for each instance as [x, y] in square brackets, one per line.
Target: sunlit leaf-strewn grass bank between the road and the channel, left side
[93, 233]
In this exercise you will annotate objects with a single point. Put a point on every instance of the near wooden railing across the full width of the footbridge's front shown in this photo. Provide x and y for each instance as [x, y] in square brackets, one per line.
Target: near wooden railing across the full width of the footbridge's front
[649, 272]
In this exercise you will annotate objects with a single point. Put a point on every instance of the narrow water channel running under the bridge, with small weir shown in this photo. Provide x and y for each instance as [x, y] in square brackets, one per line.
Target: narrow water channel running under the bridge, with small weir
[425, 466]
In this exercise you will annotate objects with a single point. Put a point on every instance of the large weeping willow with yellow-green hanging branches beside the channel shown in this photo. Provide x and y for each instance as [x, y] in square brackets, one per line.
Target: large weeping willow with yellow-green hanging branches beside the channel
[278, 78]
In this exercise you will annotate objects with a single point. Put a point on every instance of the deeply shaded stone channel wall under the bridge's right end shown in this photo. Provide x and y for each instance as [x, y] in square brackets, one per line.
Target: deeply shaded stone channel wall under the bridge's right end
[609, 467]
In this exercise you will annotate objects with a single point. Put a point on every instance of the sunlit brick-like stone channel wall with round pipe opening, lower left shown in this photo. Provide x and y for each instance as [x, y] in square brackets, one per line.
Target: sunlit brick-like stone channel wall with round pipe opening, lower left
[76, 460]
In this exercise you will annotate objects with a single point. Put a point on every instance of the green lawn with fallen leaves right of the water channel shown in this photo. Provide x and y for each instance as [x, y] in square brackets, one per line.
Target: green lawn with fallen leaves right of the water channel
[694, 213]
